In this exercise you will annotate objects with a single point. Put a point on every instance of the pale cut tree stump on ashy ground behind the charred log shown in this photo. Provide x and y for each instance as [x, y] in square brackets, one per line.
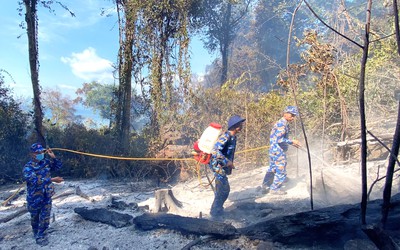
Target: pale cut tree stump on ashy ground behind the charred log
[166, 201]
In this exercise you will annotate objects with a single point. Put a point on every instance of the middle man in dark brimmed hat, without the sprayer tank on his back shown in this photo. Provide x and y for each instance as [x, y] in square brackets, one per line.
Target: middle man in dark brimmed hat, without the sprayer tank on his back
[221, 163]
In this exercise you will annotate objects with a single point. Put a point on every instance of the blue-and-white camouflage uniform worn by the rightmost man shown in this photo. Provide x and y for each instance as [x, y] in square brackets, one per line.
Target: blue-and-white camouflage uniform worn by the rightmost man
[279, 144]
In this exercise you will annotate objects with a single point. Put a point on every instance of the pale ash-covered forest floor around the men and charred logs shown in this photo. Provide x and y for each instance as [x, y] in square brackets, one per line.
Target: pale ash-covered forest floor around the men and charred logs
[70, 231]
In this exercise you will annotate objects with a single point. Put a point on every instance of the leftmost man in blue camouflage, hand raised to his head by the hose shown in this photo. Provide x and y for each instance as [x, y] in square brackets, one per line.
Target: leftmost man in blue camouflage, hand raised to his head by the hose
[40, 189]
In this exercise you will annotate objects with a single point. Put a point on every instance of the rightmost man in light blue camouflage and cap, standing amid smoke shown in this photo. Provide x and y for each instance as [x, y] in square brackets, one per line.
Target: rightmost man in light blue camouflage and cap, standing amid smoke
[279, 143]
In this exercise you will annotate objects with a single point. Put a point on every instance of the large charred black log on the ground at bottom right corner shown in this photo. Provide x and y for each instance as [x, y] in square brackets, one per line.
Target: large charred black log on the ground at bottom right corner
[328, 227]
